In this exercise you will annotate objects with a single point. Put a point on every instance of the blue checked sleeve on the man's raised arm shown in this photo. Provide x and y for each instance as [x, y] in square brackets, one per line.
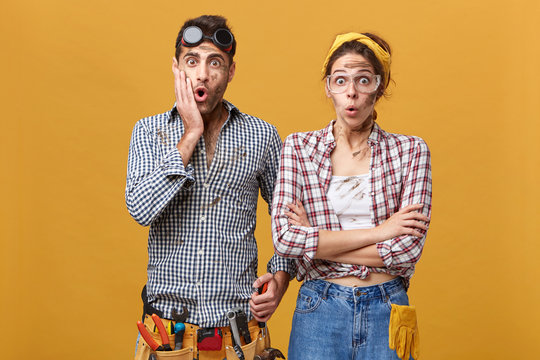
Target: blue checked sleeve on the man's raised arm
[152, 181]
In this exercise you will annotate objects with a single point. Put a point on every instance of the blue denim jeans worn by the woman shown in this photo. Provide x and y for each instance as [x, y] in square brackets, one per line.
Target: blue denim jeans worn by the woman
[341, 322]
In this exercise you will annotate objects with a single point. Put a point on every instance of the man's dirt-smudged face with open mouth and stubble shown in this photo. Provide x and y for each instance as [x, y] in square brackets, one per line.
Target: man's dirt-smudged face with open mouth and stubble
[210, 71]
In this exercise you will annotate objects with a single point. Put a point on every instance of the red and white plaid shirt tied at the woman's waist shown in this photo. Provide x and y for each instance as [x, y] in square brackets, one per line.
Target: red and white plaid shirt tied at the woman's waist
[400, 175]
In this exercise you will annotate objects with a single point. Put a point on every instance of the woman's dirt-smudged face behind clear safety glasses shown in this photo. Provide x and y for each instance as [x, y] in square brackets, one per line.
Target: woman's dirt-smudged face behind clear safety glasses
[351, 106]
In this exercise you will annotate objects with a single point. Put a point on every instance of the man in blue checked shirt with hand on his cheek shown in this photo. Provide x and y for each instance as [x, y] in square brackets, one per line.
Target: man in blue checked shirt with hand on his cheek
[194, 174]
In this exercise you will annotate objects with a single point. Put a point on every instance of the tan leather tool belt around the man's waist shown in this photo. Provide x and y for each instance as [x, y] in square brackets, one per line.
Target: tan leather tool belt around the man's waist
[191, 346]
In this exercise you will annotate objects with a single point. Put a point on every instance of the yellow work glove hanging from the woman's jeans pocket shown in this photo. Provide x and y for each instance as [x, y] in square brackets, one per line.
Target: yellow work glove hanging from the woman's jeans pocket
[403, 331]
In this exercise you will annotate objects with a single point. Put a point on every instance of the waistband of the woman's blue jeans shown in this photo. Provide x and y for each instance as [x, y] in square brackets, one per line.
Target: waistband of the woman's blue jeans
[379, 291]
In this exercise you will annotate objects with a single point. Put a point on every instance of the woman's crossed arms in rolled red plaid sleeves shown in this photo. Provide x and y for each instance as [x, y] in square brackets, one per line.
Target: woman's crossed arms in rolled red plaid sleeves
[396, 243]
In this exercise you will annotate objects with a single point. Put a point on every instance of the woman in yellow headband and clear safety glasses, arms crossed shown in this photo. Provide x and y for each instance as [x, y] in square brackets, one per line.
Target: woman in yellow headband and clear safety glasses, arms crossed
[351, 204]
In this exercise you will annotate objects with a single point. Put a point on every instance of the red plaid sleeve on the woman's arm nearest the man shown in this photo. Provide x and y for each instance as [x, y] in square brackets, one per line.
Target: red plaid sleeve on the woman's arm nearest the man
[290, 241]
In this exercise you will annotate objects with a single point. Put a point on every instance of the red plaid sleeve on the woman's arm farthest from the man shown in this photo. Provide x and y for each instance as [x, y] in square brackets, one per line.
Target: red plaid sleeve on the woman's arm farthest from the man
[403, 252]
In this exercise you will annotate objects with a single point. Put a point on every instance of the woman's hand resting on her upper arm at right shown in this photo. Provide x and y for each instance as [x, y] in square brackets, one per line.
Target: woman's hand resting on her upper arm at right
[406, 221]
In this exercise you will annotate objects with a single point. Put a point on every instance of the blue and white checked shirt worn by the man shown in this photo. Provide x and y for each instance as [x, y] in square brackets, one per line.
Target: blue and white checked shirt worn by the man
[201, 247]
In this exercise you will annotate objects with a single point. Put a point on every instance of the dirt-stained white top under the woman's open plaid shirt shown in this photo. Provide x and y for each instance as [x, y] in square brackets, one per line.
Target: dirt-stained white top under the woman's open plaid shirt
[350, 197]
